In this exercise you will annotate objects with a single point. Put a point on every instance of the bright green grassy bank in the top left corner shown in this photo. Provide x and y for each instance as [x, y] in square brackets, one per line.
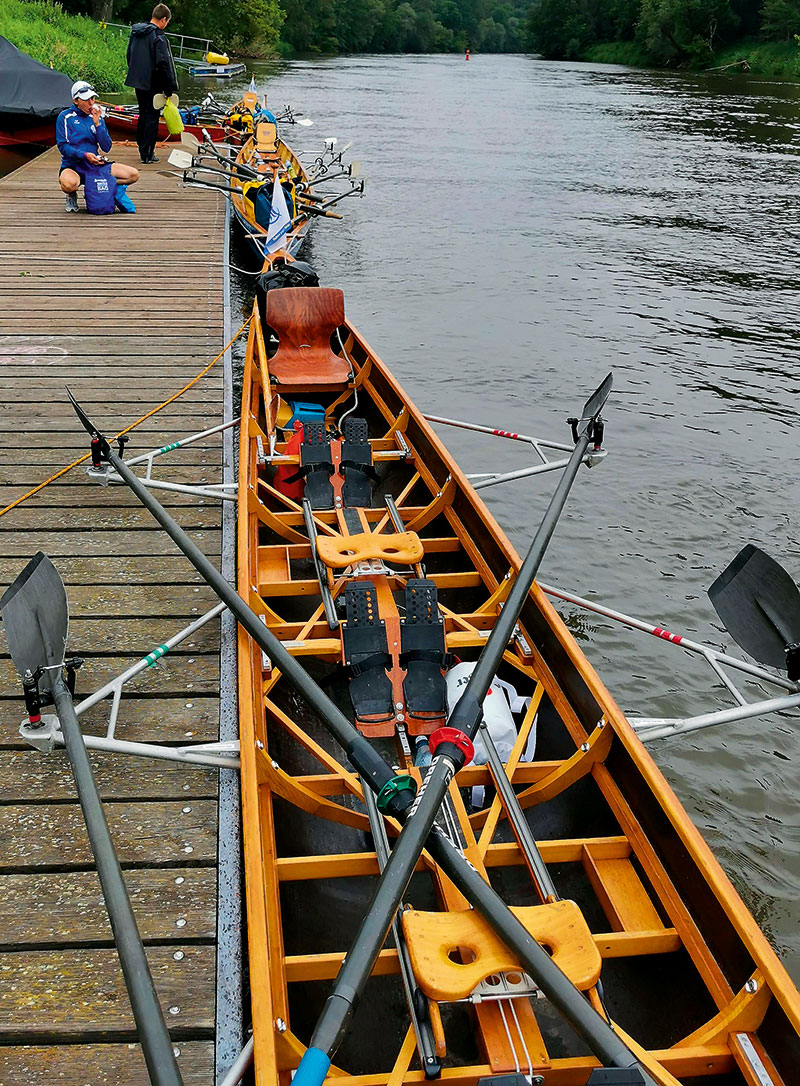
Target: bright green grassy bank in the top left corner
[72, 44]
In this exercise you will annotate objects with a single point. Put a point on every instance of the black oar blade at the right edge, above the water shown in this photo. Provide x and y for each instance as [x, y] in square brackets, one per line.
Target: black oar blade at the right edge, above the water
[759, 604]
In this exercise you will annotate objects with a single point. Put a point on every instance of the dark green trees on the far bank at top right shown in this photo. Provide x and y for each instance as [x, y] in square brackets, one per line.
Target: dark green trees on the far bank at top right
[665, 32]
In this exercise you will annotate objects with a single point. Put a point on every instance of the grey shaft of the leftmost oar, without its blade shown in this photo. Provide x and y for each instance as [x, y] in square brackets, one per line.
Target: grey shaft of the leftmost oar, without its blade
[151, 1029]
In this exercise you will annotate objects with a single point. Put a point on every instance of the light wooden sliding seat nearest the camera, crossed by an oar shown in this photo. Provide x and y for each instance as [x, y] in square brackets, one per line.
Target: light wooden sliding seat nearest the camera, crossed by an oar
[434, 937]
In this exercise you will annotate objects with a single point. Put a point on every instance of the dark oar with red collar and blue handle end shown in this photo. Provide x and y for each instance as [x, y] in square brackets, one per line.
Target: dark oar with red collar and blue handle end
[450, 755]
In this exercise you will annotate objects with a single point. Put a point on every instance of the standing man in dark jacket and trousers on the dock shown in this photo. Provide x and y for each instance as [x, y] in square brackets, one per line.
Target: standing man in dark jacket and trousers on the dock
[151, 71]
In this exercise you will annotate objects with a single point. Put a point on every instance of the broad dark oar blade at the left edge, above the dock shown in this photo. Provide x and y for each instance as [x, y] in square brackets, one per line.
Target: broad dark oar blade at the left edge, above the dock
[36, 617]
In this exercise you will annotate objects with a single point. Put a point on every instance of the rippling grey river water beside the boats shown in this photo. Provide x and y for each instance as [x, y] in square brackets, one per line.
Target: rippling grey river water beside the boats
[530, 226]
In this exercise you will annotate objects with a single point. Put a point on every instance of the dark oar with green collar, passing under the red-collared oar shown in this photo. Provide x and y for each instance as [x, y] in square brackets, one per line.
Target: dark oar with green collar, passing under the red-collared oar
[396, 795]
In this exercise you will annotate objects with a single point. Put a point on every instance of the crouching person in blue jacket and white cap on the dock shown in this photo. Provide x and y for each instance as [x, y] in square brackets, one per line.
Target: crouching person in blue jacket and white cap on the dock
[83, 140]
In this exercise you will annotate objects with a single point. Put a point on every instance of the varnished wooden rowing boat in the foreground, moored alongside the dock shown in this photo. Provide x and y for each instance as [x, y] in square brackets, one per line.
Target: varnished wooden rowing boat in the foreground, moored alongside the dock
[643, 906]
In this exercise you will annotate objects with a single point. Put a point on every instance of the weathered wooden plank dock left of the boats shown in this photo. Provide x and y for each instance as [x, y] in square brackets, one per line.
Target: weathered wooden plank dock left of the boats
[124, 310]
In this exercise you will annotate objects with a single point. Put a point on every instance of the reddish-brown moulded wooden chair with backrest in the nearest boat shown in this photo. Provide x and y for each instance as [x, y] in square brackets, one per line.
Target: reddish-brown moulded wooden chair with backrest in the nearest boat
[304, 320]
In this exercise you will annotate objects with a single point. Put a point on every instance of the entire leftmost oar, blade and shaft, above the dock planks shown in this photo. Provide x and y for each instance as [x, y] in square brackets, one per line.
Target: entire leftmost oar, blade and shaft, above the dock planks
[36, 618]
